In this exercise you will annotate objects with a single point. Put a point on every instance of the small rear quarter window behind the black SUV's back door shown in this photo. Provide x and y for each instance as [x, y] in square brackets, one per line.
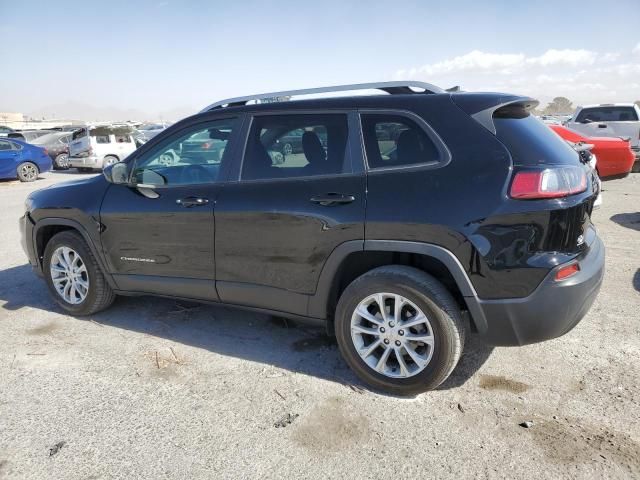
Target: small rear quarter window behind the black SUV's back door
[394, 140]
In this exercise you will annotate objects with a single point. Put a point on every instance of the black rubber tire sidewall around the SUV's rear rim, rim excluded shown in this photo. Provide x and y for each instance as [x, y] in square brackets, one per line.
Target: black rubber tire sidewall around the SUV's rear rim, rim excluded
[438, 367]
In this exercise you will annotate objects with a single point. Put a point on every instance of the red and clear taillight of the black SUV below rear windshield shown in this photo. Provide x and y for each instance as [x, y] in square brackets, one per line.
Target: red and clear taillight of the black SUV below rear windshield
[548, 183]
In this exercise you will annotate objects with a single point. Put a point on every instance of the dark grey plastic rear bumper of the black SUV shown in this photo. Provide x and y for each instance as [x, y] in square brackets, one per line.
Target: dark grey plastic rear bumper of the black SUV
[552, 310]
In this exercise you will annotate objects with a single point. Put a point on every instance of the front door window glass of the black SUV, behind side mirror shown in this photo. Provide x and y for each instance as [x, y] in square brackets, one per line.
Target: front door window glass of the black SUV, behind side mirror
[193, 156]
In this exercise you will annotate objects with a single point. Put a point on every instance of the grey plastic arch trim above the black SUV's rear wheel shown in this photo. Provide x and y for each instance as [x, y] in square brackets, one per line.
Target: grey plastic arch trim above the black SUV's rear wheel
[352, 259]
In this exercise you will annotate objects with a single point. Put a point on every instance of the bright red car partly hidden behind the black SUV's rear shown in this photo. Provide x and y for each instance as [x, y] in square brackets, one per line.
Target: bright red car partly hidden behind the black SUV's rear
[614, 155]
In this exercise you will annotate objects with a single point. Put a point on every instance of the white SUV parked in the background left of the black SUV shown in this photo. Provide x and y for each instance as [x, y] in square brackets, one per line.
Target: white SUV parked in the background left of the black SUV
[95, 147]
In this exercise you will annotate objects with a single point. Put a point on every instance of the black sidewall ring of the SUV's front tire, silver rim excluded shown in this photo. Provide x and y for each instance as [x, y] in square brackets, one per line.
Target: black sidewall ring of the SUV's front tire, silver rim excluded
[75, 242]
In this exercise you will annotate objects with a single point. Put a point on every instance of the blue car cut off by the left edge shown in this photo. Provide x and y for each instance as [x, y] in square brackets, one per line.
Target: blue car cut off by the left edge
[22, 161]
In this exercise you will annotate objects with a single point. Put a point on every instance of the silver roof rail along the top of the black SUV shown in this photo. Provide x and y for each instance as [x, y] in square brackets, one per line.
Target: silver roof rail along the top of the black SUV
[389, 87]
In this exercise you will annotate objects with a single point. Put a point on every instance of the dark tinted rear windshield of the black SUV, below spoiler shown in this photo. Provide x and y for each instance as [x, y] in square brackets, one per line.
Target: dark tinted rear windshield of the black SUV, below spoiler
[531, 142]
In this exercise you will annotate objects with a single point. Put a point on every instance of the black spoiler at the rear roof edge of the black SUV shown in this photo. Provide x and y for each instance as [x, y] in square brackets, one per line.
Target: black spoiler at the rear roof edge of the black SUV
[484, 107]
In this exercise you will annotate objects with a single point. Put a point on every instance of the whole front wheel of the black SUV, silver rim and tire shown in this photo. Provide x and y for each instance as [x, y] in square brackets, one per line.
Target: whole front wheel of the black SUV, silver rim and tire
[74, 277]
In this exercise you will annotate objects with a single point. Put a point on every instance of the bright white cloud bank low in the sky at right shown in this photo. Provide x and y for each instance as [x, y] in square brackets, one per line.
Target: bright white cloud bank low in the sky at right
[584, 76]
